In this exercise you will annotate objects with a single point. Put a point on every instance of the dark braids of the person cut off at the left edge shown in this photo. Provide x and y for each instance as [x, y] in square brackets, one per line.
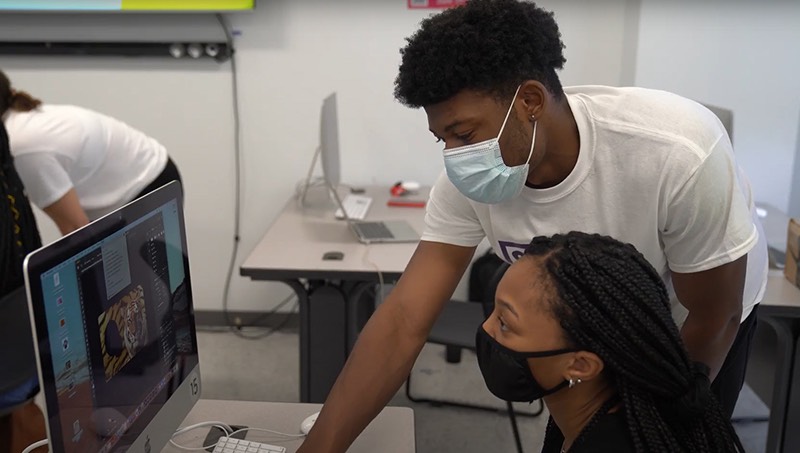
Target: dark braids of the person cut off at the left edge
[19, 234]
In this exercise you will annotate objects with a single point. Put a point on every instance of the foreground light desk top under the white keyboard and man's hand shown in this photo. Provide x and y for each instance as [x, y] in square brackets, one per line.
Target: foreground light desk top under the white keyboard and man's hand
[392, 431]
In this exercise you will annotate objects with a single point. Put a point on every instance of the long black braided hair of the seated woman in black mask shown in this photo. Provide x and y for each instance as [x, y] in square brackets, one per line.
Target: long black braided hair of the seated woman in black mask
[612, 302]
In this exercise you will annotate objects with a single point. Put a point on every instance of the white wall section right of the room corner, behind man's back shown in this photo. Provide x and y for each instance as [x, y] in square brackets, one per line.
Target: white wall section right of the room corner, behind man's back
[742, 55]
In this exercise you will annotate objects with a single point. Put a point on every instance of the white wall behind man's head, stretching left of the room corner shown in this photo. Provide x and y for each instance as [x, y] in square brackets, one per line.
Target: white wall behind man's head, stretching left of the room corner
[290, 55]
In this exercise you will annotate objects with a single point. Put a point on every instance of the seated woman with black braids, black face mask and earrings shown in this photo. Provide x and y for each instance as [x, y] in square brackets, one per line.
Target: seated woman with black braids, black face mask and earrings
[607, 356]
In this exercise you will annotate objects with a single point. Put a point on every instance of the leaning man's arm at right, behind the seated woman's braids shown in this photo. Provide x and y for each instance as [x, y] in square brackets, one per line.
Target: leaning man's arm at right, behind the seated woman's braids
[714, 301]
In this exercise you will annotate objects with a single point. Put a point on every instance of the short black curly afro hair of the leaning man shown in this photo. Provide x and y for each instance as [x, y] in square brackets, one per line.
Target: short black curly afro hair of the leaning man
[489, 46]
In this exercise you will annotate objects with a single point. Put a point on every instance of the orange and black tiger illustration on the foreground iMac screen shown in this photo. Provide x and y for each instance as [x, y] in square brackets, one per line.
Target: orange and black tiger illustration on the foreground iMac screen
[123, 331]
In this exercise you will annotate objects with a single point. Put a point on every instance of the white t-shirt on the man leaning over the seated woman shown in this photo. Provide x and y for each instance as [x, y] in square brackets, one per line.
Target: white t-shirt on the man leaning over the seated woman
[654, 170]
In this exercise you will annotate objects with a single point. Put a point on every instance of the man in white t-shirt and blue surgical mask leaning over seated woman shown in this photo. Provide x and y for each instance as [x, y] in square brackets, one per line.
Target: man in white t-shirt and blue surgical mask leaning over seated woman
[525, 157]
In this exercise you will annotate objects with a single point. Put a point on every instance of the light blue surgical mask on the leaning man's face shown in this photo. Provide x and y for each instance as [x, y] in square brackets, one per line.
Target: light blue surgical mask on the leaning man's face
[478, 170]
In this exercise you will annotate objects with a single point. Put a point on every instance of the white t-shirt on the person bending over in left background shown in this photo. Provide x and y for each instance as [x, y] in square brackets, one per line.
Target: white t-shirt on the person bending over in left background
[60, 147]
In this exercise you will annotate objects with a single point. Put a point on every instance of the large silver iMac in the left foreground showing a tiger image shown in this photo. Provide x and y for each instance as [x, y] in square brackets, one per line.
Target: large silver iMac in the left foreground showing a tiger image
[113, 321]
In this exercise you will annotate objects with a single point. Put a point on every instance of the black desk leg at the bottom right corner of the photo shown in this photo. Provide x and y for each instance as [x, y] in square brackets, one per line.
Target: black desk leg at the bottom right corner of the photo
[780, 407]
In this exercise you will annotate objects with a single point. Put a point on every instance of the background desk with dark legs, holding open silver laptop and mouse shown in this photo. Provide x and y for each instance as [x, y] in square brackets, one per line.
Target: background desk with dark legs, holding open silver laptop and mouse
[331, 293]
